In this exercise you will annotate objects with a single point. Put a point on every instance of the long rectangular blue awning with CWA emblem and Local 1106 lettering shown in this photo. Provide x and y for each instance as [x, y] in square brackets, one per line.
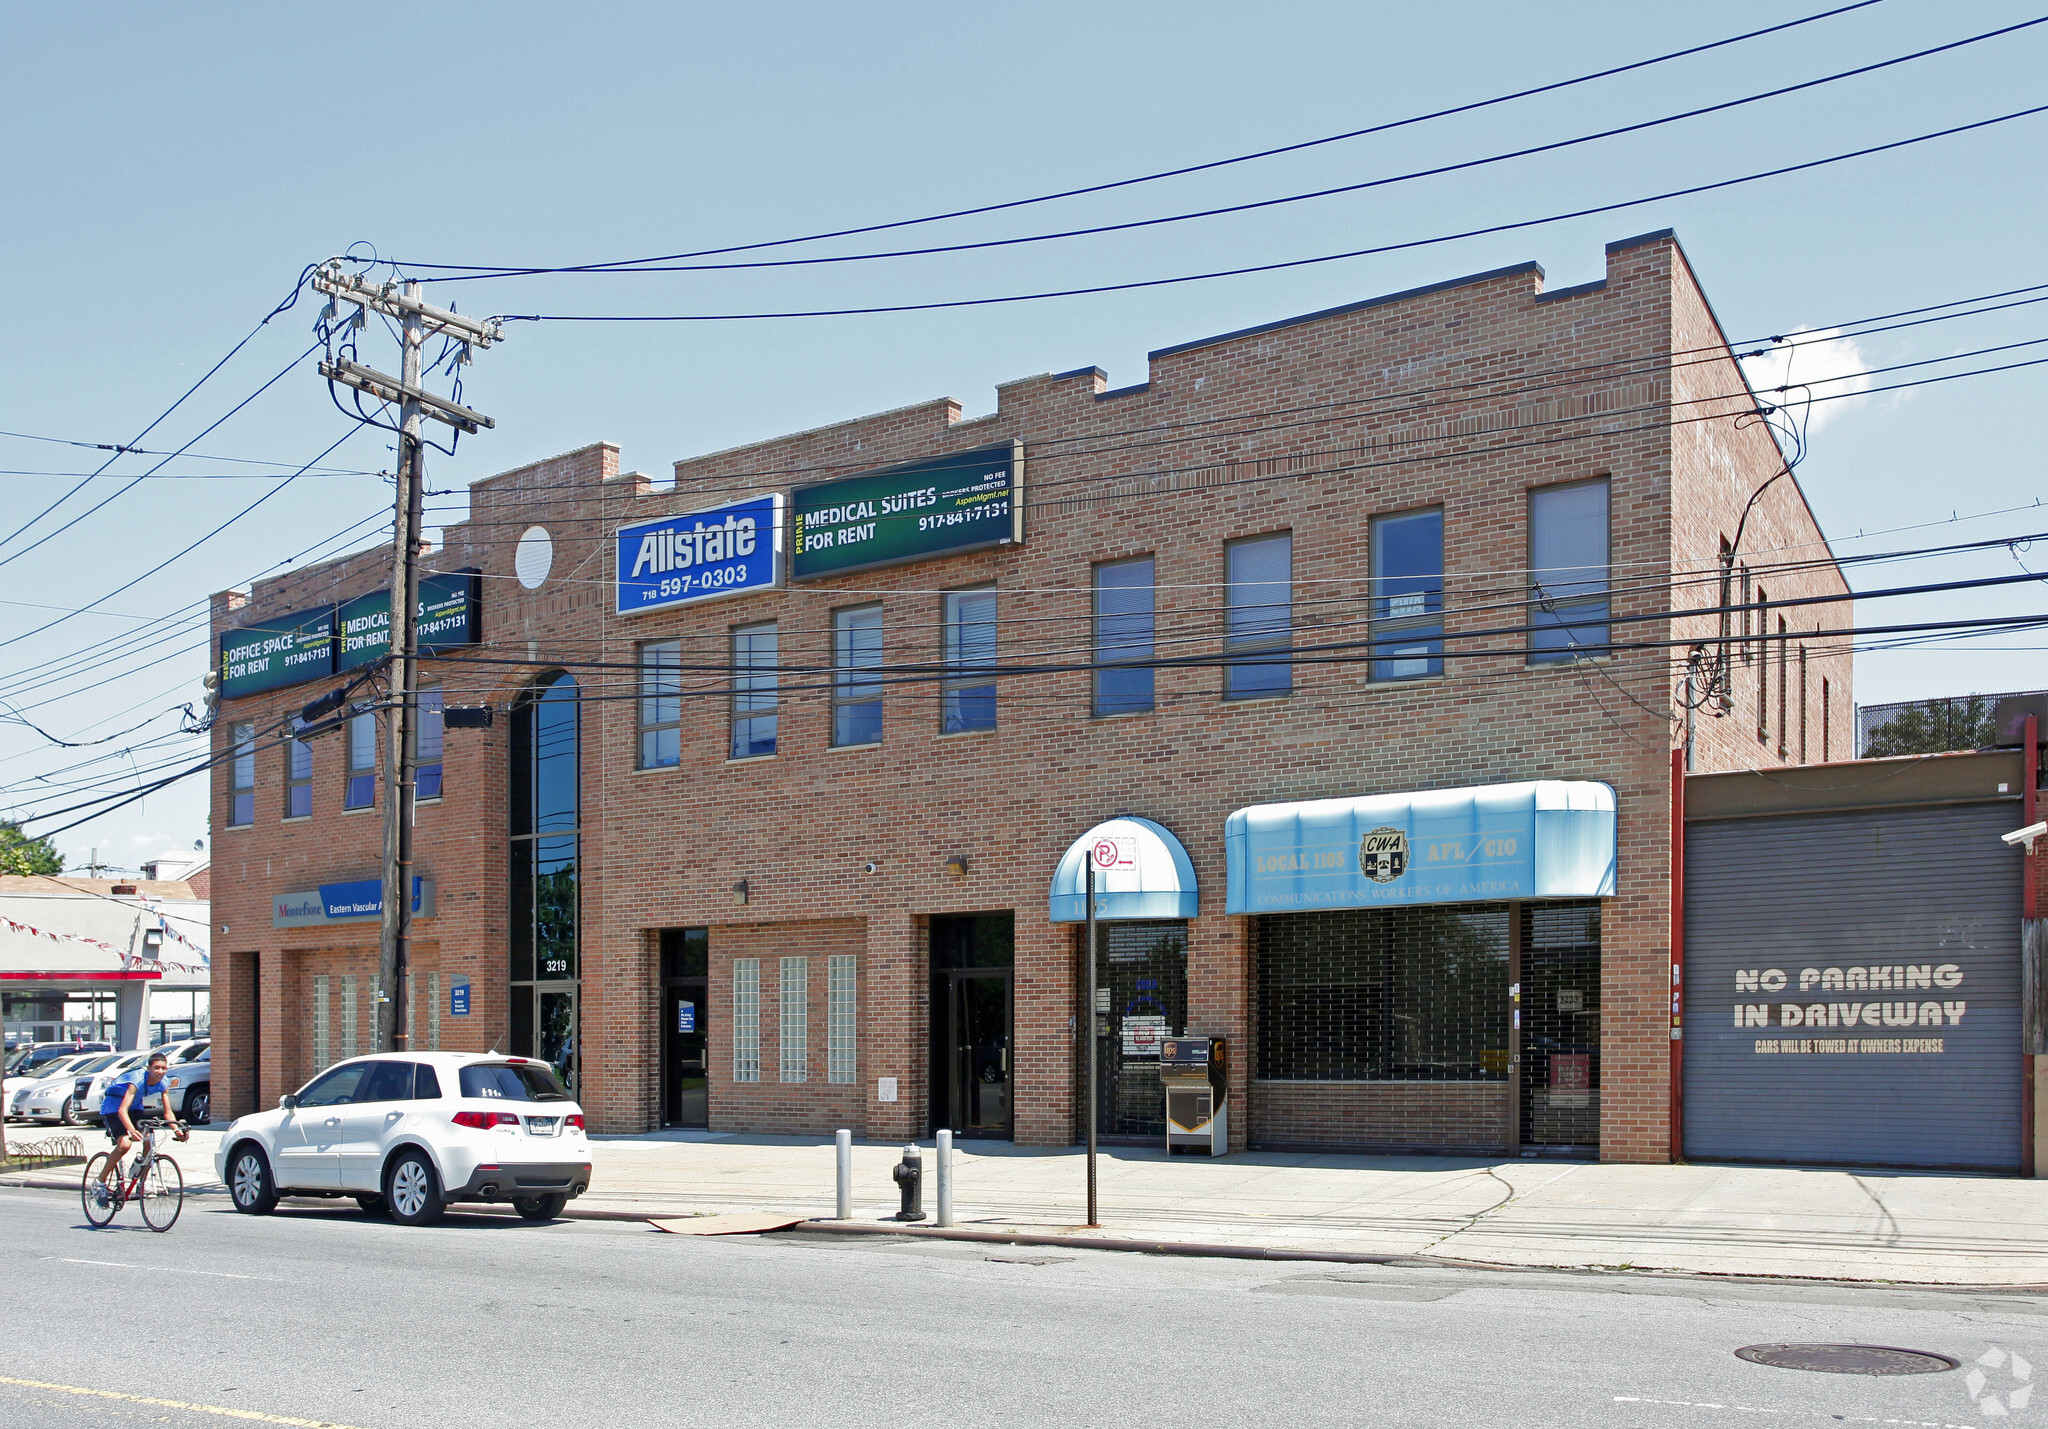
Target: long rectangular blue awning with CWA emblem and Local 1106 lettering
[1539, 840]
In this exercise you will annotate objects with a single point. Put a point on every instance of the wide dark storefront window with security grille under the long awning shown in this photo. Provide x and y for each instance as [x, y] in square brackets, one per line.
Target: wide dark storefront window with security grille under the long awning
[1383, 996]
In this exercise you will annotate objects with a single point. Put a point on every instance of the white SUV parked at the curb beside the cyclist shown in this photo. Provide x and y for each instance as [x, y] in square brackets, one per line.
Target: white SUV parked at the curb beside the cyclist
[411, 1133]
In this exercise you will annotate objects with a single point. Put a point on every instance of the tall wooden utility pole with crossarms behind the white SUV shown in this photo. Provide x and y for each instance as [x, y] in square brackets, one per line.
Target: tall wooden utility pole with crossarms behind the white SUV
[402, 738]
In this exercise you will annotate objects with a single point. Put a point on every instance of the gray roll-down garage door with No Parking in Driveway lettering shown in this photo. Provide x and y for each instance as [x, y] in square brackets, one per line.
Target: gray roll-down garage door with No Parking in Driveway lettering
[1852, 990]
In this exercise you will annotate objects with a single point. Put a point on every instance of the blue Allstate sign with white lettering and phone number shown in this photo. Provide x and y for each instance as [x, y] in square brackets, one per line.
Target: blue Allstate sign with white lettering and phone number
[724, 552]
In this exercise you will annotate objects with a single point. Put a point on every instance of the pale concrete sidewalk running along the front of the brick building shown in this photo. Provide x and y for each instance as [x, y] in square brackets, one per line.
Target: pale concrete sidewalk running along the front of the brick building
[1705, 1219]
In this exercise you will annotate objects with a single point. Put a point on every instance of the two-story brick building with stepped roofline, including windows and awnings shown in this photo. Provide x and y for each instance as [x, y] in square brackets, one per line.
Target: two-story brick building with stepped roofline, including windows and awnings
[785, 861]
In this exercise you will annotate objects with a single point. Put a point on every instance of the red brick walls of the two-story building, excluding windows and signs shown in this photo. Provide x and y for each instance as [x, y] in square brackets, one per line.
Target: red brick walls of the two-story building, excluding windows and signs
[1465, 396]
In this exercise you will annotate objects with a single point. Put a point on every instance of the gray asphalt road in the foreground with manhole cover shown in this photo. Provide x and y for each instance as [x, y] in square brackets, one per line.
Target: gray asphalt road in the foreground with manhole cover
[333, 1317]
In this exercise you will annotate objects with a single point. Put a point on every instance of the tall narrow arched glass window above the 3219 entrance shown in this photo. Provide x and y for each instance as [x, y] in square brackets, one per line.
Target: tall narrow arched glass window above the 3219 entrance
[546, 877]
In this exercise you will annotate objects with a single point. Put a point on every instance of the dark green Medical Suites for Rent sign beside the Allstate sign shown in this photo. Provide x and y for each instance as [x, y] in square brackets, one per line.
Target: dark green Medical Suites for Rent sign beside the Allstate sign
[912, 513]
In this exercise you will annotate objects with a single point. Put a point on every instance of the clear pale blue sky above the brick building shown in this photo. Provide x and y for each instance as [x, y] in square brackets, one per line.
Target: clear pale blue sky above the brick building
[171, 171]
